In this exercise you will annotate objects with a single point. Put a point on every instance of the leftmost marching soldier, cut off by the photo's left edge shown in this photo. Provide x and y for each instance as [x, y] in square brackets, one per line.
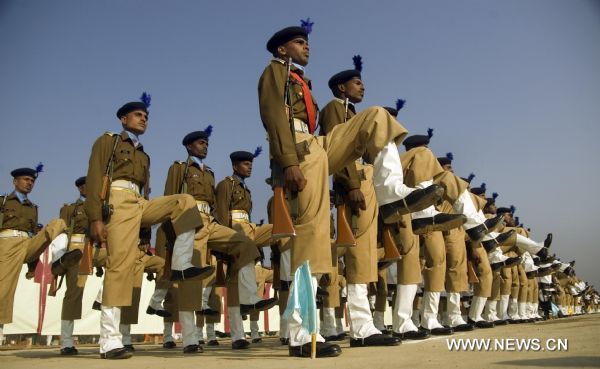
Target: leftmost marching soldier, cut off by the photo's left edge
[20, 242]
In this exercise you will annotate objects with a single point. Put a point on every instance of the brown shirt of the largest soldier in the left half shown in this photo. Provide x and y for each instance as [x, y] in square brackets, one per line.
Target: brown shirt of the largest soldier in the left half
[130, 163]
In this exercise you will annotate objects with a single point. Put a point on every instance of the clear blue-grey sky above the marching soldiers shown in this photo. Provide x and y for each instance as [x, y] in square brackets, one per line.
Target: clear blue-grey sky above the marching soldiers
[512, 89]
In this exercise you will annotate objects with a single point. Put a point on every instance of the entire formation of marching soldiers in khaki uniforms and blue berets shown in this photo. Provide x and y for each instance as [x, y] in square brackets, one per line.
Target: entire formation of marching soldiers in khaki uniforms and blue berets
[405, 221]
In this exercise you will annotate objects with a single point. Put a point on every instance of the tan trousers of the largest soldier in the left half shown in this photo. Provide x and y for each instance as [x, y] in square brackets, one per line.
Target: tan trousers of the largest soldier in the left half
[132, 212]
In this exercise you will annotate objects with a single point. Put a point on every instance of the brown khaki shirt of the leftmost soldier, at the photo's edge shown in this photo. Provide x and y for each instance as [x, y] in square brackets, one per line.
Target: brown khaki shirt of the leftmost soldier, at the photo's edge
[17, 215]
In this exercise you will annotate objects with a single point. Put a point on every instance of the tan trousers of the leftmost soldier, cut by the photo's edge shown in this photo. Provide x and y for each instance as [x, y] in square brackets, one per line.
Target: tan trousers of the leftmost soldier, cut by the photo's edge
[16, 251]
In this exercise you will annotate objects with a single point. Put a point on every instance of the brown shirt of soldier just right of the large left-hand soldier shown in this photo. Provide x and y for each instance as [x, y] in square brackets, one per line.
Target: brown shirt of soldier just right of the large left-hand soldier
[200, 182]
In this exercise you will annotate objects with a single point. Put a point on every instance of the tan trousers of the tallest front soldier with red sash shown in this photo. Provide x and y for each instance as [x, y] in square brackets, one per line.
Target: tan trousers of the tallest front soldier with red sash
[364, 134]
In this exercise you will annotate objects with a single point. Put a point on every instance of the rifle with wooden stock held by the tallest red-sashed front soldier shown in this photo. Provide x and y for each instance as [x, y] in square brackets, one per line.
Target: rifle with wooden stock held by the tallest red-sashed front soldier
[283, 219]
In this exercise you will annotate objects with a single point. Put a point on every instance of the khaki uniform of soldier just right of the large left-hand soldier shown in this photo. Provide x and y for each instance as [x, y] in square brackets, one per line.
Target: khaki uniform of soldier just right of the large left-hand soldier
[200, 184]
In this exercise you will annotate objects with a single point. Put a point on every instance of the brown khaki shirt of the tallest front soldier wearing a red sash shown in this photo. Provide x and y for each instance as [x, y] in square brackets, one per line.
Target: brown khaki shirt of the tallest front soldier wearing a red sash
[271, 87]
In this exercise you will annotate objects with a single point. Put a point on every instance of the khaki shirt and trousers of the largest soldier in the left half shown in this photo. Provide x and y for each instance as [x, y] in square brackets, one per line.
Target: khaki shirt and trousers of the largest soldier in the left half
[133, 214]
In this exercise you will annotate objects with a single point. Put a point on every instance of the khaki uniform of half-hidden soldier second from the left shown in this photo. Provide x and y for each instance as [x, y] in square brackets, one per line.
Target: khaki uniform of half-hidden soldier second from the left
[74, 215]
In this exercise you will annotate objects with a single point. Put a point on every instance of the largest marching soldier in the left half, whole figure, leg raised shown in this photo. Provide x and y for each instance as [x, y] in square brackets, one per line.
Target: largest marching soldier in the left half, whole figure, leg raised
[120, 215]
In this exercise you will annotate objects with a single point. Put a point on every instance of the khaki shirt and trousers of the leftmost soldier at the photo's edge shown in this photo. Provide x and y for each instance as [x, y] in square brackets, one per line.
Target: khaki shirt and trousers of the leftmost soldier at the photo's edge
[19, 246]
